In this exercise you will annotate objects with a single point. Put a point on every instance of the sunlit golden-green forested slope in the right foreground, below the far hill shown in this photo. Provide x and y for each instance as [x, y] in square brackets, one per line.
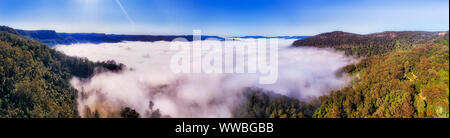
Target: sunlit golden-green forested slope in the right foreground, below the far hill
[402, 83]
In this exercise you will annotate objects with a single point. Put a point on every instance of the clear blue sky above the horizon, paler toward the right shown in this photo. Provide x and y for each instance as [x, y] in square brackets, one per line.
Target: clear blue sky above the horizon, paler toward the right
[226, 17]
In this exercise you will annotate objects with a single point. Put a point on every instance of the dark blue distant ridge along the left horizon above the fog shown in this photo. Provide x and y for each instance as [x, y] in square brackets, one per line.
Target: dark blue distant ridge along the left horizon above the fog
[52, 38]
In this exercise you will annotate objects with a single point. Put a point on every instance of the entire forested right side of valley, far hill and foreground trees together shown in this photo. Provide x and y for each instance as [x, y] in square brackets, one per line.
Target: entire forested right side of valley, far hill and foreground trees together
[403, 74]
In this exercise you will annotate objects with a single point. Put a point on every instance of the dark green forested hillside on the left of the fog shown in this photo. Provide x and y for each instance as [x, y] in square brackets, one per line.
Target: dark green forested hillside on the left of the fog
[34, 79]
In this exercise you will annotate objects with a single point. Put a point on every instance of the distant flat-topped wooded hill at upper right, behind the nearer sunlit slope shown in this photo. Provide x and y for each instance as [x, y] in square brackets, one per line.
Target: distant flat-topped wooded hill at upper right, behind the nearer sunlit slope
[370, 44]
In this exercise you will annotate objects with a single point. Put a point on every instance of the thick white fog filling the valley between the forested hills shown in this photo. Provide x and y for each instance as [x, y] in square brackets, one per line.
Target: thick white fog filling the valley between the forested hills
[303, 73]
